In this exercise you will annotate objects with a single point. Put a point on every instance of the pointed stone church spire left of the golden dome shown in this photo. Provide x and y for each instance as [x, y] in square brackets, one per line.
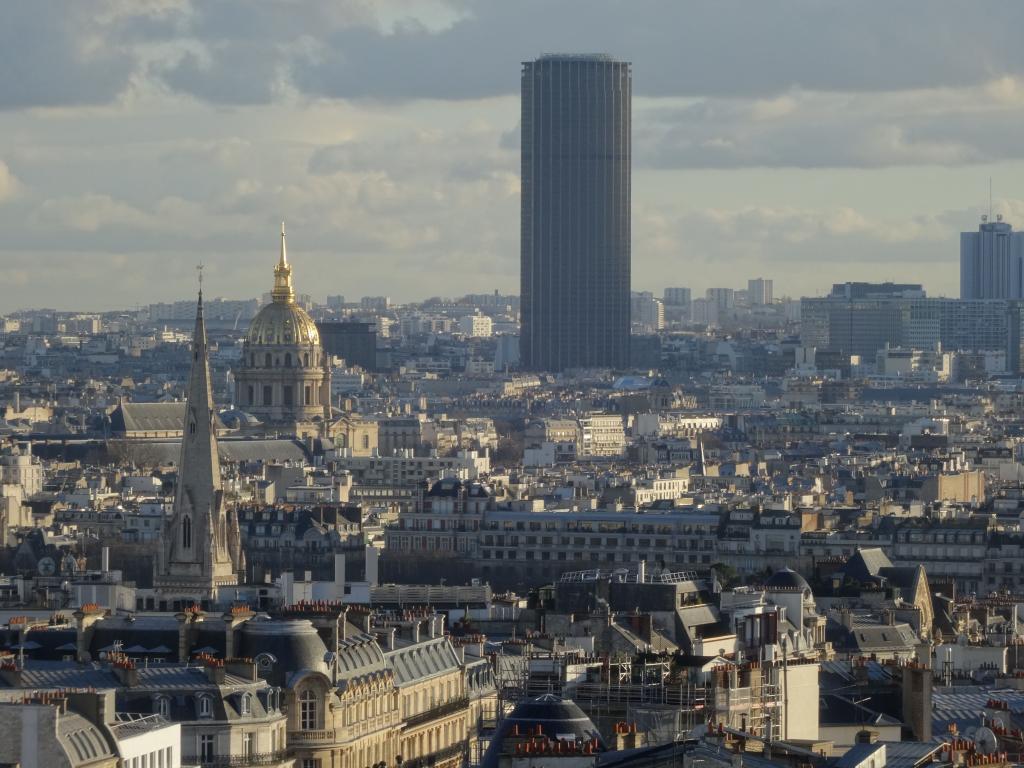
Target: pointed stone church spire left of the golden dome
[200, 550]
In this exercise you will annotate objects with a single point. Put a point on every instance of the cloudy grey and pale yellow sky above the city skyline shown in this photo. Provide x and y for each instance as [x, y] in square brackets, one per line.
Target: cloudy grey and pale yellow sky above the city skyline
[806, 141]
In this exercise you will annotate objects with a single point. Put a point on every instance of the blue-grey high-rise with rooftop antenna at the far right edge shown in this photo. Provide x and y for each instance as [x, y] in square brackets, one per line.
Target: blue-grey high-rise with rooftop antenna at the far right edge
[993, 263]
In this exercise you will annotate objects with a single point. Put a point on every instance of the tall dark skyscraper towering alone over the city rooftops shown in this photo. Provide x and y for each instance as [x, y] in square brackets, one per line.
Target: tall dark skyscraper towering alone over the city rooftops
[576, 212]
